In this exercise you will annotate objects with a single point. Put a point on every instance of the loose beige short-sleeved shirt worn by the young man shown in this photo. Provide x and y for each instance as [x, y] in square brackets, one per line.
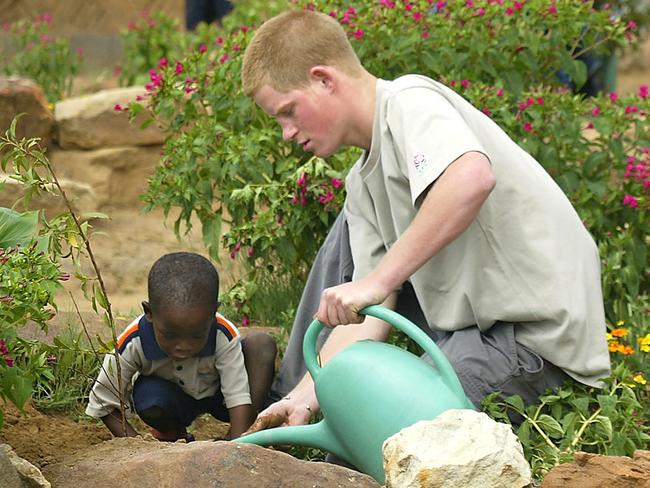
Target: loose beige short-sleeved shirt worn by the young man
[527, 258]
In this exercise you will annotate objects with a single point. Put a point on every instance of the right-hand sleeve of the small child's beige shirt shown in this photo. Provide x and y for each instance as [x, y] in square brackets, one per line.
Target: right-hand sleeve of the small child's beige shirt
[232, 371]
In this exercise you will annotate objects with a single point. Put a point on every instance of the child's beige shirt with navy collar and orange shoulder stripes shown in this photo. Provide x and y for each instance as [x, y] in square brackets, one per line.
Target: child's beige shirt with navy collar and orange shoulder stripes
[220, 364]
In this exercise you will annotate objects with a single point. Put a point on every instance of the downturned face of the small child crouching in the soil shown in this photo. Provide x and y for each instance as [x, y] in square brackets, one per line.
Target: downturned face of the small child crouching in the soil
[180, 333]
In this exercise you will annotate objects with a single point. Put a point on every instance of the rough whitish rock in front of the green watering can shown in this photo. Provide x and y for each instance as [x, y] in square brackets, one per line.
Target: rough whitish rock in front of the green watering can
[458, 448]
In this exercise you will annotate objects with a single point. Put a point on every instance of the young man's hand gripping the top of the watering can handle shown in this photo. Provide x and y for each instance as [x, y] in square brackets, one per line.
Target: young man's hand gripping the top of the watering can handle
[340, 305]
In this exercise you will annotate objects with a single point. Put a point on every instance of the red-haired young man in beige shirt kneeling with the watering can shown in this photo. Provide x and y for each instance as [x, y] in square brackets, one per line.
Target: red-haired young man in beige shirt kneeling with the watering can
[442, 209]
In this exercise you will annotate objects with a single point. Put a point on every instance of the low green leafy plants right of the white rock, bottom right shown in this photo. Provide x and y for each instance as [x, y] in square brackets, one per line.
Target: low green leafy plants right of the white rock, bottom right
[576, 418]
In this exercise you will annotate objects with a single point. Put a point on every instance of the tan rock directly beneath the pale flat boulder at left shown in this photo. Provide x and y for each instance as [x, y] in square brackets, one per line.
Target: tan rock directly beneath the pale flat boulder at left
[117, 175]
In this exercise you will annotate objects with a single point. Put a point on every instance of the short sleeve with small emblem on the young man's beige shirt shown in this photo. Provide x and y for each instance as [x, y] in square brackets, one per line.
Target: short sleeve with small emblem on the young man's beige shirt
[428, 135]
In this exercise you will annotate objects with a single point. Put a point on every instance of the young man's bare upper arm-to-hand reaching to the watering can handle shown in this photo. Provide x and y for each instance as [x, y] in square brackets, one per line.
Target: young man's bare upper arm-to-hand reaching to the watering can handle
[449, 207]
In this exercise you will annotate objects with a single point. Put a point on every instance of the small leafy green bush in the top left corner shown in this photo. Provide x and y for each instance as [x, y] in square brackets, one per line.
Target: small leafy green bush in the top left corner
[35, 53]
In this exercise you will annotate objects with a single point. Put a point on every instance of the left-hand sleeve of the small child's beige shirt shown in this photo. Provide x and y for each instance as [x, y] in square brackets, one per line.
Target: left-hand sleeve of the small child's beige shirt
[103, 398]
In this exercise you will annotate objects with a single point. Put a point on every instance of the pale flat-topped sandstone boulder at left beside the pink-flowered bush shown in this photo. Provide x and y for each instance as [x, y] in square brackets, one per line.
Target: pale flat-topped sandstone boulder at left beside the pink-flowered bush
[91, 121]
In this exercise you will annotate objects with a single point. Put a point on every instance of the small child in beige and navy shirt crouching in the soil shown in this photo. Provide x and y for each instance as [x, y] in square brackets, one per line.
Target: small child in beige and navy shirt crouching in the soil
[185, 357]
